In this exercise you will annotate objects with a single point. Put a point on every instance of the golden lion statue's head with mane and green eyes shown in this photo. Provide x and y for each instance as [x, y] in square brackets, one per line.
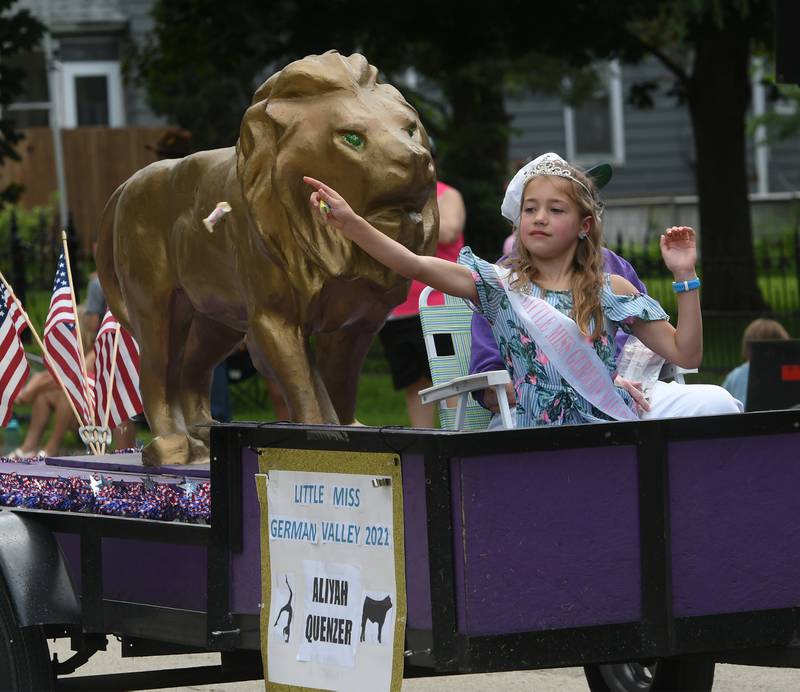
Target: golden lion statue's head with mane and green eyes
[327, 117]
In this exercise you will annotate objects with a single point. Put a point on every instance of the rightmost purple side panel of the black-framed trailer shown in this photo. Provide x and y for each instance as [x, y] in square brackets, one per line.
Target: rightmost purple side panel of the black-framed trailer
[735, 524]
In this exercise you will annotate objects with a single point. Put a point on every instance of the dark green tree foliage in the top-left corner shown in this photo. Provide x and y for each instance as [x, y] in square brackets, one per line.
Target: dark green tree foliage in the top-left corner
[19, 32]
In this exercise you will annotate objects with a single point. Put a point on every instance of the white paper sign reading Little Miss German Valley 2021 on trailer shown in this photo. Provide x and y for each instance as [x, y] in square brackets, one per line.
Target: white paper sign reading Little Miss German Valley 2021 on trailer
[333, 586]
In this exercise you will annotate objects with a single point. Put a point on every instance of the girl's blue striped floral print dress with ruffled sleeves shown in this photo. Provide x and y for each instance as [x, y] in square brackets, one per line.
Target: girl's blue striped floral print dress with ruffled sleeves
[543, 396]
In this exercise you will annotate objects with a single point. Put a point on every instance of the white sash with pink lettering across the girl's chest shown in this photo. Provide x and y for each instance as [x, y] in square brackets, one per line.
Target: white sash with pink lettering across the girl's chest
[568, 351]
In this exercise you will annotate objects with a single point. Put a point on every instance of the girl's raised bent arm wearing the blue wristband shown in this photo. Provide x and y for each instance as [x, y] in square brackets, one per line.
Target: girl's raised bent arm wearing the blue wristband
[683, 345]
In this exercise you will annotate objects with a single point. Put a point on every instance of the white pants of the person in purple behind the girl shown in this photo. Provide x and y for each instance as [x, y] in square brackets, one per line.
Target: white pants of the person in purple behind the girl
[674, 400]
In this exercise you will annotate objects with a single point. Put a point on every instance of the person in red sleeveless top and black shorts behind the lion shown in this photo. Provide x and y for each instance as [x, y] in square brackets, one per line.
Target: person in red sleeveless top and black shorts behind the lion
[401, 336]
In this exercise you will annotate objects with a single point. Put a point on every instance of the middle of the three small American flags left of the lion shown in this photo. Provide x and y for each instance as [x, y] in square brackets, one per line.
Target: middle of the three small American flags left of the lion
[62, 344]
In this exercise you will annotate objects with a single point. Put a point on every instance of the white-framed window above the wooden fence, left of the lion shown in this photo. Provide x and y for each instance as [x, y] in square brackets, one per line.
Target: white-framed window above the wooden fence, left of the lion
[92, 94]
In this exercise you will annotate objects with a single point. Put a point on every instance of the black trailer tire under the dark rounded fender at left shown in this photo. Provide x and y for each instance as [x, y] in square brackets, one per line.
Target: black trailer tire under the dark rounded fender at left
[24, 657]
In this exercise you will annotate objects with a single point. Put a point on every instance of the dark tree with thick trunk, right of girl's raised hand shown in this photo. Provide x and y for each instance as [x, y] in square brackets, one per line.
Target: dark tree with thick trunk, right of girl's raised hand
[707, 45]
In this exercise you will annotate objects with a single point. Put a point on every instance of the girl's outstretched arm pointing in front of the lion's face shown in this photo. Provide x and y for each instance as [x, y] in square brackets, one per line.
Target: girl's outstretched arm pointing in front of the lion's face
[443, 275]
